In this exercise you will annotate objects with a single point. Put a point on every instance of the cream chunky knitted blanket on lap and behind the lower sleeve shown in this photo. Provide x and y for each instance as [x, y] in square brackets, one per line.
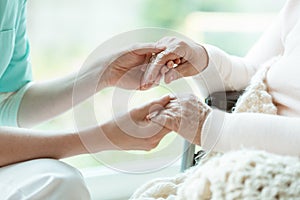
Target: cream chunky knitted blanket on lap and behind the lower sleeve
[243, 174]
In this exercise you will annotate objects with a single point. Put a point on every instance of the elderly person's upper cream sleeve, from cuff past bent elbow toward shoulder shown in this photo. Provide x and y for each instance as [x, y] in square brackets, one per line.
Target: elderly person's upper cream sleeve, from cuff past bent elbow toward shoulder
[229, 72]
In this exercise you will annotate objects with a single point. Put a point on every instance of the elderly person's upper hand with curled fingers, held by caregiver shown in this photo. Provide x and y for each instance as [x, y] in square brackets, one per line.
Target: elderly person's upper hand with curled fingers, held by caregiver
[181, 58]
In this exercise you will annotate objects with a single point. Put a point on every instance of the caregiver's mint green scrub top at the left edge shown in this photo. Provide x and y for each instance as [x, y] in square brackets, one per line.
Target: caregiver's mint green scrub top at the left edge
[15, 68]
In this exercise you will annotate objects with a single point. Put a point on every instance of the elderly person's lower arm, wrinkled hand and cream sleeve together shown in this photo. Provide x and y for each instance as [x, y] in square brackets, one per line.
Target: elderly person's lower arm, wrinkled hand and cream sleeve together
[219, 131]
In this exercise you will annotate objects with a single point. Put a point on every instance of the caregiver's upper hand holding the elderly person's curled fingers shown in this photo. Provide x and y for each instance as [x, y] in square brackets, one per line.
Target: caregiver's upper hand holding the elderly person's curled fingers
[127, 70]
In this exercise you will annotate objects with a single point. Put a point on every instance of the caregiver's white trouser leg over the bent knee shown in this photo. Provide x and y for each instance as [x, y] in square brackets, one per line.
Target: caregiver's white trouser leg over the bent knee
[42, 179]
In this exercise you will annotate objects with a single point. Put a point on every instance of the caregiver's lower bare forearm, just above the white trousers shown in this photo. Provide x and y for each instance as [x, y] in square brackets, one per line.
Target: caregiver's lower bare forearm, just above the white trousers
[24, 144]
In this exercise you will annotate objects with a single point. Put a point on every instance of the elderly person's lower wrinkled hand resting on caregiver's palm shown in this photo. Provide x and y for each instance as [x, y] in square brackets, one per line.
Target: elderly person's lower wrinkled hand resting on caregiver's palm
[184, 115]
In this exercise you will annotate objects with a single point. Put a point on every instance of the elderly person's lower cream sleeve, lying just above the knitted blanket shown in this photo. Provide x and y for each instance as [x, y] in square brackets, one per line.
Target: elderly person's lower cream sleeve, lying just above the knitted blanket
[277, 134]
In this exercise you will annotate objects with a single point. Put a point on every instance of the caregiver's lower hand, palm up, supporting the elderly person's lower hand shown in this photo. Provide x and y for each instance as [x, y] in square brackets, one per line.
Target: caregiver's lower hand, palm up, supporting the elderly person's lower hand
[133, 131]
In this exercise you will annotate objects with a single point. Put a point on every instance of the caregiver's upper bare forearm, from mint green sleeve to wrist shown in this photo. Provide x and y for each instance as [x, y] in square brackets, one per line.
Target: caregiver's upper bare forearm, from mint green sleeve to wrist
[47, 99]
